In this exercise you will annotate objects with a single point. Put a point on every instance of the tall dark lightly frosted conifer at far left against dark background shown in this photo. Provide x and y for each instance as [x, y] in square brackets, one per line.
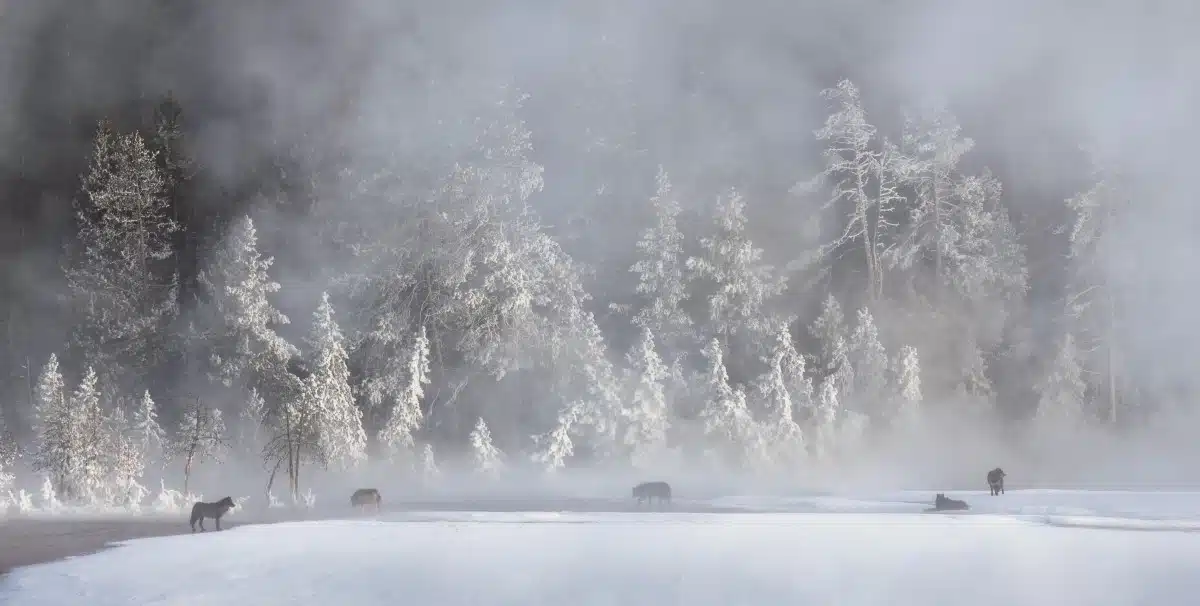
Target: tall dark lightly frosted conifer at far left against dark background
[124, 285]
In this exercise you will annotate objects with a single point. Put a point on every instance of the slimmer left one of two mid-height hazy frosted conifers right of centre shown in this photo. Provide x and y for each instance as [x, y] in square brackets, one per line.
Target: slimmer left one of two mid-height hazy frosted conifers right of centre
[661, 273]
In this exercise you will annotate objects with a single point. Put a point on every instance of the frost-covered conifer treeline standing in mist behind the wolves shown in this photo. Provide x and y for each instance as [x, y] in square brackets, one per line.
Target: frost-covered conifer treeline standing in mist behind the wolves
[452, 323]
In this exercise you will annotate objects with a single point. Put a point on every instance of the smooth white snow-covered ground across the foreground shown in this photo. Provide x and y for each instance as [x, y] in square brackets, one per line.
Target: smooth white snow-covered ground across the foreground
[1027, 548]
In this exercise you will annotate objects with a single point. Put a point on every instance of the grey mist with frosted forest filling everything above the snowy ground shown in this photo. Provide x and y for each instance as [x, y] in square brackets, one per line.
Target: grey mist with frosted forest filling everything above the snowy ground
[417, 244]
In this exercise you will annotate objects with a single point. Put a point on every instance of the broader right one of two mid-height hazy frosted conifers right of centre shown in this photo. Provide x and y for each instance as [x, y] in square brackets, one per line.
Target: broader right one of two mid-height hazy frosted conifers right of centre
[745, 285]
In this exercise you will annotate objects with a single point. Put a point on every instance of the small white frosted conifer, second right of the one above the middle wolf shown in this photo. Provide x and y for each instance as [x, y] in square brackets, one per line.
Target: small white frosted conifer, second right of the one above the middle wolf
[783, 434]
